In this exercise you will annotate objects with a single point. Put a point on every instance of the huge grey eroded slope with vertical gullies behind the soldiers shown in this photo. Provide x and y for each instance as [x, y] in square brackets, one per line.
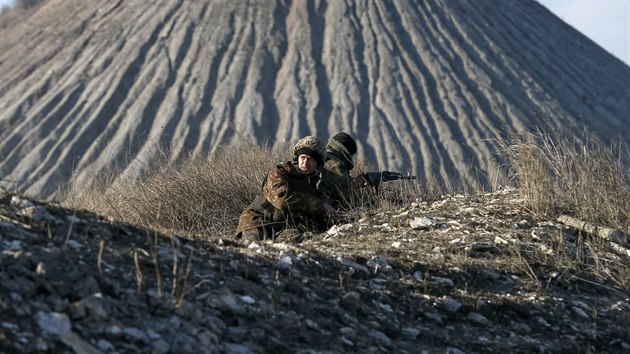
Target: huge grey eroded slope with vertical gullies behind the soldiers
[423, 85]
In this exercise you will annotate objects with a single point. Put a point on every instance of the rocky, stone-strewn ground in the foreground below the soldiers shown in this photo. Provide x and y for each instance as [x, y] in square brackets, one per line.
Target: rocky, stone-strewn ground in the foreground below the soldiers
[463, 274]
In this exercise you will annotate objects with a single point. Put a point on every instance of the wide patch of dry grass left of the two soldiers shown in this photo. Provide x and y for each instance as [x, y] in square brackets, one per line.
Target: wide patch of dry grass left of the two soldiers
[197, 196]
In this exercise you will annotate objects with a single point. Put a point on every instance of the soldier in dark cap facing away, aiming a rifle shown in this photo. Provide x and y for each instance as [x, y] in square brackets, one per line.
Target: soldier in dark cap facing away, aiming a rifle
[336, 183]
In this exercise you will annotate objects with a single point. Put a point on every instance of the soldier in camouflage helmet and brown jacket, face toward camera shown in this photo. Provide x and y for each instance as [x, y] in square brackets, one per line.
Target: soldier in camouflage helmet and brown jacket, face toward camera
[289, 198]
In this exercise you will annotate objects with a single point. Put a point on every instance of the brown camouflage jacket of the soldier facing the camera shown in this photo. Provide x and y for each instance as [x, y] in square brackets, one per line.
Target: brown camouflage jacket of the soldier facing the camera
[289, 199]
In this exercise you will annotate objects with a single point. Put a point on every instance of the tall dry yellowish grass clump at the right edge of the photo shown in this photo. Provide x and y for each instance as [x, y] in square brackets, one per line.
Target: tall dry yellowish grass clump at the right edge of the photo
[561, 175]
